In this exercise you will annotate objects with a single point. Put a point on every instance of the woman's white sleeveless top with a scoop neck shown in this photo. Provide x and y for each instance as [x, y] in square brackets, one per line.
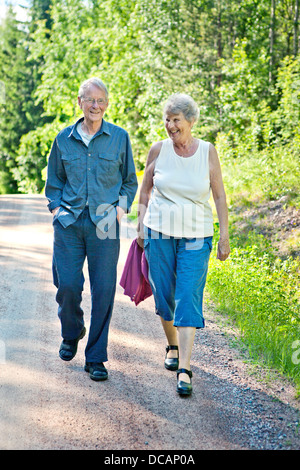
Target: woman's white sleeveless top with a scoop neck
[179, 204]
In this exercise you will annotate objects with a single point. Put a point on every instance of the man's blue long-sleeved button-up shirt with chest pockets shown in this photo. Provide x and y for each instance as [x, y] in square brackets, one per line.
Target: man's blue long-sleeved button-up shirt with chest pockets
[101, 175]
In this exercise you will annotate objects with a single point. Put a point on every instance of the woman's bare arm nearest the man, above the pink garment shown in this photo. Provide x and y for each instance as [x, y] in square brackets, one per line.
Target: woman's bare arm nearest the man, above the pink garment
[145, 191]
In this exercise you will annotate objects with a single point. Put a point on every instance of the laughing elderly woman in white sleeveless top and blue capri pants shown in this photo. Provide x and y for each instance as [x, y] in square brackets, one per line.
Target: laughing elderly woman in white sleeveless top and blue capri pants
[176, 229]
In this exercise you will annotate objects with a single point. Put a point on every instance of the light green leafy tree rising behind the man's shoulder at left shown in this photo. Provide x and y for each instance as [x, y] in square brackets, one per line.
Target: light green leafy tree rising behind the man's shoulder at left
[60, 65]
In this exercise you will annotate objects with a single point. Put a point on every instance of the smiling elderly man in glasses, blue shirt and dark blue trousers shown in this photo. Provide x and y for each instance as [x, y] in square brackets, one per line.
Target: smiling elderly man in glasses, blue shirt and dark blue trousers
[91, 182]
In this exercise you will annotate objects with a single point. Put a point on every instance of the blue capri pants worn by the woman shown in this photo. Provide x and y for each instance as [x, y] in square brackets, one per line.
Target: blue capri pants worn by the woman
[177, 275]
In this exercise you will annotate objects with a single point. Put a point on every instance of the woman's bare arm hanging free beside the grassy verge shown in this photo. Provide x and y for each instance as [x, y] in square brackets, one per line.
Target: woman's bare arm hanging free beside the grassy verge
[219, 196]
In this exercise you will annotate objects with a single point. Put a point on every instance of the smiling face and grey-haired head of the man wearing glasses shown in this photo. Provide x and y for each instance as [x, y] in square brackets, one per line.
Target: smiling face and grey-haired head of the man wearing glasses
[93, 111]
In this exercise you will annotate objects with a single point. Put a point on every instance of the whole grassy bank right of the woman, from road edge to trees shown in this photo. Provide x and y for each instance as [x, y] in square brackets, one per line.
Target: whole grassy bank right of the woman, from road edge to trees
[258, 288]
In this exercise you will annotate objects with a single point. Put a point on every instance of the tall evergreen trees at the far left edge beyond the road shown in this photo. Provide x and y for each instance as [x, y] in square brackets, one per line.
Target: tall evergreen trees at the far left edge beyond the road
[20, 114]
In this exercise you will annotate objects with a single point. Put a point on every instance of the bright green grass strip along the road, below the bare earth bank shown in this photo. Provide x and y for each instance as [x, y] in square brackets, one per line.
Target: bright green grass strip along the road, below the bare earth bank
[260, 295]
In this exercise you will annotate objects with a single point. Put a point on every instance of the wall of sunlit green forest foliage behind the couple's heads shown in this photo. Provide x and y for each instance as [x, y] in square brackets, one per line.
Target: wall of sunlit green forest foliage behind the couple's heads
[219, 52]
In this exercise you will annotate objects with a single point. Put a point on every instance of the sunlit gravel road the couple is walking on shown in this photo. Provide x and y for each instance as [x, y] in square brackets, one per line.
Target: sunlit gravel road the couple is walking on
[48, 404]
